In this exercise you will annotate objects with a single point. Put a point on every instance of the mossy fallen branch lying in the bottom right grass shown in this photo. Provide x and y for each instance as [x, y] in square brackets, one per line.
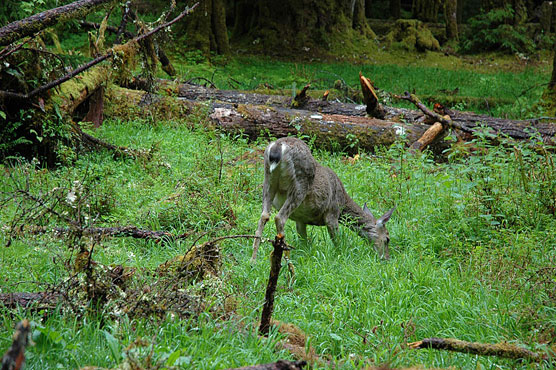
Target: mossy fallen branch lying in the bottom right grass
[506, 350]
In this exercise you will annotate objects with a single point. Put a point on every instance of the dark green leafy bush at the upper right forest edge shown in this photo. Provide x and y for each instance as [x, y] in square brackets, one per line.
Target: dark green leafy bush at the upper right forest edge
[495, 30]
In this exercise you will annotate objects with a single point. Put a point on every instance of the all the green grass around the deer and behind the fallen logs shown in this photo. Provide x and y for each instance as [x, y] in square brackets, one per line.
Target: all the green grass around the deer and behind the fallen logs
[472, 239]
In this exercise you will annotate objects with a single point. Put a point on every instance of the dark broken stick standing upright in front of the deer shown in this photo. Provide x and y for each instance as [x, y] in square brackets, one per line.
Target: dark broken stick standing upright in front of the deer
[275, 266]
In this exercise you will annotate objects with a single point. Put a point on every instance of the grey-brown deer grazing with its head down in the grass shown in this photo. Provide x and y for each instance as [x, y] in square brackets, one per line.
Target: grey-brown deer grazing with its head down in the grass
[311, 194]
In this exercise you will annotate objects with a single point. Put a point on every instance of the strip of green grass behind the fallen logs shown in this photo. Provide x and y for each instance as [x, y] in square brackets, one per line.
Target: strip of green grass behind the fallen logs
[518, 89]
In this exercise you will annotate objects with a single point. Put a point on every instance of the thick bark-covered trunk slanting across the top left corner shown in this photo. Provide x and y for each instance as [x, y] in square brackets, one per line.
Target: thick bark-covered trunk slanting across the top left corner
[35, 23]
